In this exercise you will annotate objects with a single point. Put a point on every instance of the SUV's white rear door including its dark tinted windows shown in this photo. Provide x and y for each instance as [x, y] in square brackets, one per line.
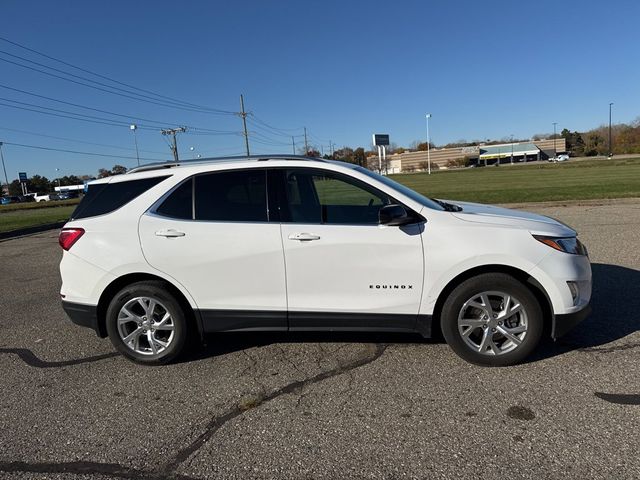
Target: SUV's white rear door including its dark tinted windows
[212, 234]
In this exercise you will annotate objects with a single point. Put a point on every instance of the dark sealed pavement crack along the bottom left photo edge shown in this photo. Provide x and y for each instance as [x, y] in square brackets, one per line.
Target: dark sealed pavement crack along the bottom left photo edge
[89, 468]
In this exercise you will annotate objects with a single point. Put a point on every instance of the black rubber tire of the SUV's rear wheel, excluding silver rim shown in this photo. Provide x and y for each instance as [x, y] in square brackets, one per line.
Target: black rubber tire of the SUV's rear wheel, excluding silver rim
[157, 291]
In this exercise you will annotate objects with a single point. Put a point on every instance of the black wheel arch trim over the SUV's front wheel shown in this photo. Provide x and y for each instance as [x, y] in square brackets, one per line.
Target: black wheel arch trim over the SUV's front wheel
[523, 277]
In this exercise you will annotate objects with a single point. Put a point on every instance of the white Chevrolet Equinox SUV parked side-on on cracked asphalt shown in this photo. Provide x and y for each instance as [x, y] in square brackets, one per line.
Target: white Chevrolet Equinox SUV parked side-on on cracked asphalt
[174, 251]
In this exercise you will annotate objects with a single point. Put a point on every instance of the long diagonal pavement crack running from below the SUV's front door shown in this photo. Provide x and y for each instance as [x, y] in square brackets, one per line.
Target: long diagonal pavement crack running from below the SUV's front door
[218, 422]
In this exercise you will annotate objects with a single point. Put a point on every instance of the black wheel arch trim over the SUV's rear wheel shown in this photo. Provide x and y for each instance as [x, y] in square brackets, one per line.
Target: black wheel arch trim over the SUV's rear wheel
[121, 282]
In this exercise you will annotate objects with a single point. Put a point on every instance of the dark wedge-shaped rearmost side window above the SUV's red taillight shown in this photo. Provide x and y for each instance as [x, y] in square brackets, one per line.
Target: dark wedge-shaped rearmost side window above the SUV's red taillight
[107, 197]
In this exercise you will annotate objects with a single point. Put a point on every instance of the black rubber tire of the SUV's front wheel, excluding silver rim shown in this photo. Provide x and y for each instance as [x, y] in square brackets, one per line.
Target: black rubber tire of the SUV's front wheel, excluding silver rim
[492, 282]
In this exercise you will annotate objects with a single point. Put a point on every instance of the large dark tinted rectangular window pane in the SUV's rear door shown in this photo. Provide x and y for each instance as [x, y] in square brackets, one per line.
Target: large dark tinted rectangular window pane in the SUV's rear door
[239, 196]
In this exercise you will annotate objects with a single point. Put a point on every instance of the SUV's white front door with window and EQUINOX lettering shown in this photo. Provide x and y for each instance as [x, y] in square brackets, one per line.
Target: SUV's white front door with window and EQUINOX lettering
[344, 271]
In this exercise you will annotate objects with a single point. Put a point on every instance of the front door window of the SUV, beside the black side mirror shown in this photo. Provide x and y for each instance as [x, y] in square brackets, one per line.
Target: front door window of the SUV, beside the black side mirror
[314, 196]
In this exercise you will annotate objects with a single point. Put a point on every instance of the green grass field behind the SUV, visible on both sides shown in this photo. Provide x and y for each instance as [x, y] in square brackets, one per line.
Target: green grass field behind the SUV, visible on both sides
[577, 180]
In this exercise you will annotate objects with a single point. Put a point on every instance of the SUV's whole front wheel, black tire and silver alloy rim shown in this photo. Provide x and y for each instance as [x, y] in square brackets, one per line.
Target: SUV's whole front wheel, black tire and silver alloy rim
[492, 319]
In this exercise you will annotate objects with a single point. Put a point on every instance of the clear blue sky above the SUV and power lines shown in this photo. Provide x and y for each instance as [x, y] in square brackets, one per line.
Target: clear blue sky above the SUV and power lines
[344, 69]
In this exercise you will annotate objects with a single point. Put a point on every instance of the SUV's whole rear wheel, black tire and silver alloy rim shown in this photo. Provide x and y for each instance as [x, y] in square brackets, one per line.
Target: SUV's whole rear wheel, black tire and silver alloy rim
[146, 323]
